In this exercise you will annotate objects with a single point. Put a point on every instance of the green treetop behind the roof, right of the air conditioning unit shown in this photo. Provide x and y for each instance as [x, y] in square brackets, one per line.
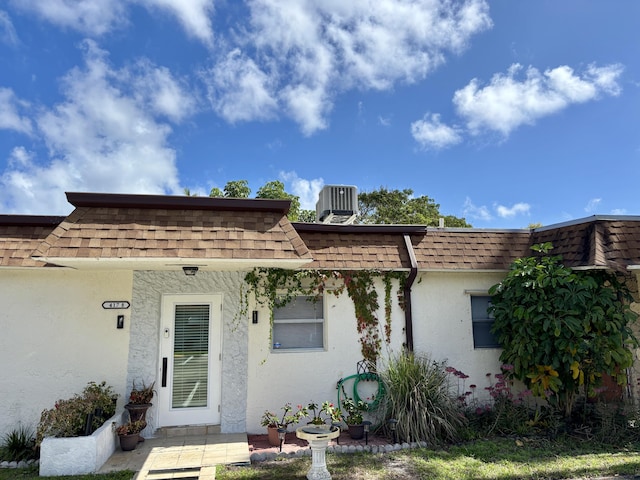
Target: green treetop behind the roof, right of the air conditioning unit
[385, 206]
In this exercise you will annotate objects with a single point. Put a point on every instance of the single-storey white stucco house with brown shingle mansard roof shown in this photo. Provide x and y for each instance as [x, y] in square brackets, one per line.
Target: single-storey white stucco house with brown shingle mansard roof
[103, 294]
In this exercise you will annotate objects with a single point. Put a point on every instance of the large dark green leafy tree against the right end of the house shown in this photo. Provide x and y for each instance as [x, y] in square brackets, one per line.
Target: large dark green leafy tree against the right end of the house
[562, 329]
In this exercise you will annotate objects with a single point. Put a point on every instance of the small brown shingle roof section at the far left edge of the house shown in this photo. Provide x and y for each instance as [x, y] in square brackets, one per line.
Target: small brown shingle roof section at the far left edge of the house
[20, 235]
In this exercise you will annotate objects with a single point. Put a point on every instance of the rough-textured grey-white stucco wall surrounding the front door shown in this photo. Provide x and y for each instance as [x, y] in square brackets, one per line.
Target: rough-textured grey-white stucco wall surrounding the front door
[144, 357]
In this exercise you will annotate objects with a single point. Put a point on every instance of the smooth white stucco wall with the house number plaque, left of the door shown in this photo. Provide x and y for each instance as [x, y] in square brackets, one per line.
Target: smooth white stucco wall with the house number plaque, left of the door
[56, 337]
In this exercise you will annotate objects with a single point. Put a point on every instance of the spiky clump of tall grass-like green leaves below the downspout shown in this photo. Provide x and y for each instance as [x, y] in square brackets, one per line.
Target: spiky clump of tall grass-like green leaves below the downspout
[419, 397]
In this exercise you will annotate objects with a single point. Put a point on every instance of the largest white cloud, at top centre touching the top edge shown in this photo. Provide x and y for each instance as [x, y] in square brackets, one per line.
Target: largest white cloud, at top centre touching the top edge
[310, 51]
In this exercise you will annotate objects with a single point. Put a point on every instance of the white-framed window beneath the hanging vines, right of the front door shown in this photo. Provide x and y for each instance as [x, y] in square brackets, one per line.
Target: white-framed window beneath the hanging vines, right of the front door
[299, 324]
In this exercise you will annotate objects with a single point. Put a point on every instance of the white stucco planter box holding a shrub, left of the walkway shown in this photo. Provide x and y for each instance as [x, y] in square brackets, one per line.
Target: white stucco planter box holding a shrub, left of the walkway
[79, 455]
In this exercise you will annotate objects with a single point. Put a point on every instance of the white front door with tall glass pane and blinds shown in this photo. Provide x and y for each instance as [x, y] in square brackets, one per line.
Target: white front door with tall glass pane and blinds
[190, 352]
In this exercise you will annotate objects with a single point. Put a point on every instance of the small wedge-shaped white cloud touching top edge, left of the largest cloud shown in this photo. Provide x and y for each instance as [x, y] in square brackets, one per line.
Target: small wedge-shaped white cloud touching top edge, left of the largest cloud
[194, 15]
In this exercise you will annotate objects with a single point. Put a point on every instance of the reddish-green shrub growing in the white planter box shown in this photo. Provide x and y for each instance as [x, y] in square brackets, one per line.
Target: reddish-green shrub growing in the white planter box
[68, 417]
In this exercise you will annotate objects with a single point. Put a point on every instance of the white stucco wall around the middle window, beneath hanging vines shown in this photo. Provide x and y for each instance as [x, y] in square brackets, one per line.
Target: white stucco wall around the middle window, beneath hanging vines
[298, 377]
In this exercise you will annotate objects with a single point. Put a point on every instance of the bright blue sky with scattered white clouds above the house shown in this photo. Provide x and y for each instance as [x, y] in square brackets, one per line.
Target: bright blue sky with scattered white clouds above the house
[506, 112]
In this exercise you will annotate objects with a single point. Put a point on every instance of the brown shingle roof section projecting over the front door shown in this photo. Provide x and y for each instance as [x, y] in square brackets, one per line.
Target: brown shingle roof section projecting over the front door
[197, 230]
